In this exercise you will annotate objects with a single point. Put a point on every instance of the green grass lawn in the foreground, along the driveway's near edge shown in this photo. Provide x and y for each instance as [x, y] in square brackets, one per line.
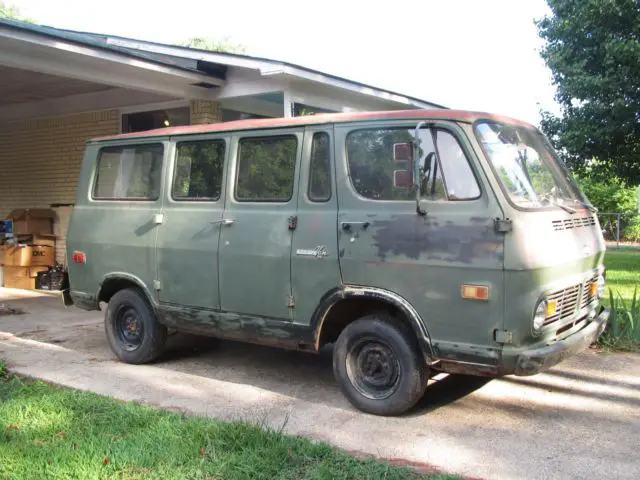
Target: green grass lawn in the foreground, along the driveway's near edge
[49, 432]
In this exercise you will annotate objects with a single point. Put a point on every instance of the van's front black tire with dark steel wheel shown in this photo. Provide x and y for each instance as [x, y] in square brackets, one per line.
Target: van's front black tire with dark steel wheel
[378, 365]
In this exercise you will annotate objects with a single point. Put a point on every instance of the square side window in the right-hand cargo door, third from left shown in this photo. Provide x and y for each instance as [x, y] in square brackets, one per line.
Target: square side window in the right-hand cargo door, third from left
[266, 167]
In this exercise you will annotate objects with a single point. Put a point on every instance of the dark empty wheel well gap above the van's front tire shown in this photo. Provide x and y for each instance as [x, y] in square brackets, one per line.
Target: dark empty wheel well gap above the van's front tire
[348, 310]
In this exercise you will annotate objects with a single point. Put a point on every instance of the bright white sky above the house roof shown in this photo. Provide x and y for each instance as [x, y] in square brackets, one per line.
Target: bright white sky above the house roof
[467, 54]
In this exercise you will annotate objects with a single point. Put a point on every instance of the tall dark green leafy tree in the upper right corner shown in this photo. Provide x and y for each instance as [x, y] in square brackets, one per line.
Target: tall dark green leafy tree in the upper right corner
[593, 50]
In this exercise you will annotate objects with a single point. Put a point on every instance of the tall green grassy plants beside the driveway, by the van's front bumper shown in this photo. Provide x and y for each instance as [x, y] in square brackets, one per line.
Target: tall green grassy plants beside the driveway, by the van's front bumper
[623, 329]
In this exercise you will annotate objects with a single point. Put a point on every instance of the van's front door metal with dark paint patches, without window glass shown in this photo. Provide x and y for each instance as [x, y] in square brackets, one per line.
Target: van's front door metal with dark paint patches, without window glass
[428, 258]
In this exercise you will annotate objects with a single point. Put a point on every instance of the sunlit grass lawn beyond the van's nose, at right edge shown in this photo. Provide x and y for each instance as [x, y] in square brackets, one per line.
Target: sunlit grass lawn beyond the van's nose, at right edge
[623, 271]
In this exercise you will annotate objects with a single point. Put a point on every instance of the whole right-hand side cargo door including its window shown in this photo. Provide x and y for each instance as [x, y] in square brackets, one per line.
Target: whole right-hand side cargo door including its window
[259, 221]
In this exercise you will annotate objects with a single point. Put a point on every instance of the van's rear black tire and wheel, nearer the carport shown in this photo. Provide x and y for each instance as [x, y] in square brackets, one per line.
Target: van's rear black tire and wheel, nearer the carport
[133, 332]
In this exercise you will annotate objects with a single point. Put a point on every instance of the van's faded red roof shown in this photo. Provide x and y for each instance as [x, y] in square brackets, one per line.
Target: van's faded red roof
[460, 115]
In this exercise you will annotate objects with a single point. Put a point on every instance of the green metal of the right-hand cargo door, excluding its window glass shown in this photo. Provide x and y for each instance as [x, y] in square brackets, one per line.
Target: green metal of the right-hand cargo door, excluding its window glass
[255, 250]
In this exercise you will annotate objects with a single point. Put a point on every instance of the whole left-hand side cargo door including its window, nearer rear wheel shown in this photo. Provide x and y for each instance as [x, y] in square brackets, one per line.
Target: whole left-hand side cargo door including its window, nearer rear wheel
[187, 242]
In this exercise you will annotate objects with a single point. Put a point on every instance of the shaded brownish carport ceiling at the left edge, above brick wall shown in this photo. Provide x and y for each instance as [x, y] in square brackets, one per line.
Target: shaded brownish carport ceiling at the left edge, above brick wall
[23, 86]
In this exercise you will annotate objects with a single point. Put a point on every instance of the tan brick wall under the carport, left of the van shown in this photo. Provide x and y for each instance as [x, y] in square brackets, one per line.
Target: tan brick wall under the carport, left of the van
[40, 161]
